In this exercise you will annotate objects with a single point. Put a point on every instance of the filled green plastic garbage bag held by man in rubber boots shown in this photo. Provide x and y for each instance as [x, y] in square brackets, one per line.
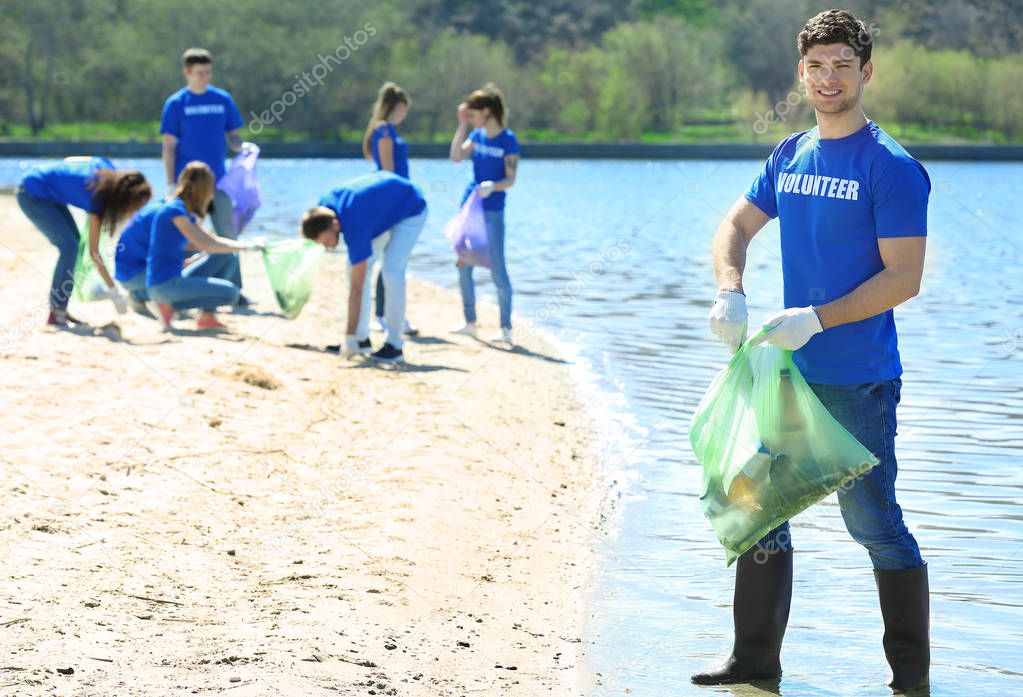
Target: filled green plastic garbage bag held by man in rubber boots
[769, 448]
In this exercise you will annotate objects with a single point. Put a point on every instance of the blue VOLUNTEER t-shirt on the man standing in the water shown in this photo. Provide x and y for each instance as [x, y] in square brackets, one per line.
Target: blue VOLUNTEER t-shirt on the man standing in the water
[834, 199]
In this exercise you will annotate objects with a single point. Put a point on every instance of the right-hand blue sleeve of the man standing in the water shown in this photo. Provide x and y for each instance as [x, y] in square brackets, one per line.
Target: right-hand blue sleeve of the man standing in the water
[901, 201]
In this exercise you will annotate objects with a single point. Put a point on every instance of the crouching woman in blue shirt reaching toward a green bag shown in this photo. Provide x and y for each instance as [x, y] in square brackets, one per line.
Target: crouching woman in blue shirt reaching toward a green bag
[168, 284]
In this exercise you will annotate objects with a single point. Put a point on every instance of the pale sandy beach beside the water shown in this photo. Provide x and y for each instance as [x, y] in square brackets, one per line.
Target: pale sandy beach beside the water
[189, 513]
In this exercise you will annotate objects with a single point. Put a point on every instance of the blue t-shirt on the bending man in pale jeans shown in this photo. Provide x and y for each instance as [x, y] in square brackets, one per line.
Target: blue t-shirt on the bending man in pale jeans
[372, 205]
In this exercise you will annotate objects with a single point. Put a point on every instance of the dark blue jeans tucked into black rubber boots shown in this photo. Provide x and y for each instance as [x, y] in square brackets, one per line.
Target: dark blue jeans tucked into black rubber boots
[871, 513]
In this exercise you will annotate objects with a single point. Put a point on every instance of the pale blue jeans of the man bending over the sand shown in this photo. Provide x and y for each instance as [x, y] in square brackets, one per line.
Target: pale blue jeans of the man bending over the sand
[393, 250]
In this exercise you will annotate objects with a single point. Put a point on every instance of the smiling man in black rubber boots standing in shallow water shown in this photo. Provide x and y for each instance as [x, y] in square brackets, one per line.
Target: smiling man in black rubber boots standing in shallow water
[853, 208]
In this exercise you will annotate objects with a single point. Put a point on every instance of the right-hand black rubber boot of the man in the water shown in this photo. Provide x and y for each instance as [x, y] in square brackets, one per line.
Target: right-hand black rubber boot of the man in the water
[906, 608]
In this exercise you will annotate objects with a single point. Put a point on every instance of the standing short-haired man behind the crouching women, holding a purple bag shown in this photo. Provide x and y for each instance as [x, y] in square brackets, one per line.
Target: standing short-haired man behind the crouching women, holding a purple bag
[196, 123]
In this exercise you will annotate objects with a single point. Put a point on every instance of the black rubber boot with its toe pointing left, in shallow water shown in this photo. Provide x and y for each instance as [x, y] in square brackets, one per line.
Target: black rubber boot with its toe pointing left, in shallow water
[761, 612]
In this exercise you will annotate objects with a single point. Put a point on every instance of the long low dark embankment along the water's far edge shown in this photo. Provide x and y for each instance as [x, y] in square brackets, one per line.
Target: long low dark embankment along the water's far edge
[537, 151]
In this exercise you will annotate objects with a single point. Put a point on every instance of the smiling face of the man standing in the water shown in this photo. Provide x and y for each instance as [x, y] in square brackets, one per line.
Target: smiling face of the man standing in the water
[833, 77]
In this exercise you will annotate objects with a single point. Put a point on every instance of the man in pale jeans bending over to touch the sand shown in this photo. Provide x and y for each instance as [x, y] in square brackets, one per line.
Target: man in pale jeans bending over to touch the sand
[380, 216]
